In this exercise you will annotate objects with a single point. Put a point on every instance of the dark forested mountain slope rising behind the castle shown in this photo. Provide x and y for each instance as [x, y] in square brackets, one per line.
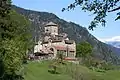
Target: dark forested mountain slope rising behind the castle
[74, 31]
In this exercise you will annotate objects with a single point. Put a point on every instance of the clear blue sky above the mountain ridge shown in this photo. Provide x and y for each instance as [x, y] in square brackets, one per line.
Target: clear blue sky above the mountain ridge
[110, 32]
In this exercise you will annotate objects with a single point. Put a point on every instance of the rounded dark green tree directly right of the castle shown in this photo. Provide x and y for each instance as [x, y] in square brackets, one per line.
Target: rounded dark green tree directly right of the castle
[84, 49]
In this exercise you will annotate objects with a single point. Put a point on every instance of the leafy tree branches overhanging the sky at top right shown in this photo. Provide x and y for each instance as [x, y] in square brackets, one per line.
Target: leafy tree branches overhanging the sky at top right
[99, 8]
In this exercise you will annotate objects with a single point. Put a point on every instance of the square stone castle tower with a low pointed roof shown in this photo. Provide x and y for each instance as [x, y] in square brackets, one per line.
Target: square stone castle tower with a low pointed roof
[51, 28]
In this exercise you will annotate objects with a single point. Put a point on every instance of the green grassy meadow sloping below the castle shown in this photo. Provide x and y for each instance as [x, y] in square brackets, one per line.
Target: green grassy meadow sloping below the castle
[39, 71]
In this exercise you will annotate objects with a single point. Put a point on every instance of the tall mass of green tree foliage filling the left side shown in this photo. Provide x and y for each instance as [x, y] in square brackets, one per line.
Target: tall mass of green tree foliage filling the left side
[14, 41]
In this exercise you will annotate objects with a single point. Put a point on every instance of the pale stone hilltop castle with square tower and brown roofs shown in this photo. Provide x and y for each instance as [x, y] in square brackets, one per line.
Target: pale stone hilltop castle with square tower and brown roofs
[54, 43]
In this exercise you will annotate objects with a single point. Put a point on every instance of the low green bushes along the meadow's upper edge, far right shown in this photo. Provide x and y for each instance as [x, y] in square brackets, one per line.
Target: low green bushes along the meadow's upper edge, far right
[99, 65]
